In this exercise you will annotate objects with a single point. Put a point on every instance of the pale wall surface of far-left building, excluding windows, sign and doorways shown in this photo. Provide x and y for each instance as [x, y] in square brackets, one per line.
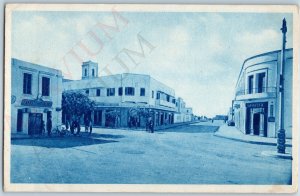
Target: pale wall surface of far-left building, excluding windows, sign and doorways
[37, 71]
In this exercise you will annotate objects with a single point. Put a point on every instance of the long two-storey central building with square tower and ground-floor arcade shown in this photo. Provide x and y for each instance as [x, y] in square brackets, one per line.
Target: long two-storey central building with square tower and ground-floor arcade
[120, 99]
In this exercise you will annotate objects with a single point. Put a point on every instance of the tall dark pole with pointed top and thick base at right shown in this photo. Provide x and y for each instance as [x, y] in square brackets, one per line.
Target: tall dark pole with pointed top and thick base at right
[281, 132]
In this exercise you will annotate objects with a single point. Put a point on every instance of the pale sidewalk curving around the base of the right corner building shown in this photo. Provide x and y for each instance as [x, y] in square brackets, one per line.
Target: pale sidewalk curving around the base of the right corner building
[231, 132]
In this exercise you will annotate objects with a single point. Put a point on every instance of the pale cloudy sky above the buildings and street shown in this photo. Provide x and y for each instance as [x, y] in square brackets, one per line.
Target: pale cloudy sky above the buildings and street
[199, 55]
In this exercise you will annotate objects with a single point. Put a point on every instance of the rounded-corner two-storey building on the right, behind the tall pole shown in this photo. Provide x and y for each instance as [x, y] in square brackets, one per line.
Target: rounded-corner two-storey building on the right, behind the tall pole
[256, 106]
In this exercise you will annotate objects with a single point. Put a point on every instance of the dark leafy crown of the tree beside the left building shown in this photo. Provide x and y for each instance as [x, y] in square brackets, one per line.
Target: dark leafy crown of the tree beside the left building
[76, 104]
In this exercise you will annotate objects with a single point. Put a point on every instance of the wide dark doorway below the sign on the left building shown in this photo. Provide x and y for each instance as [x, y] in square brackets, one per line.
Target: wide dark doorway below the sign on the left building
[35, 123]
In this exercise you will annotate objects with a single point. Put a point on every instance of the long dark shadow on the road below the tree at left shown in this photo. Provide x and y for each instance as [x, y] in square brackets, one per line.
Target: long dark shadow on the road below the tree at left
[61, 142]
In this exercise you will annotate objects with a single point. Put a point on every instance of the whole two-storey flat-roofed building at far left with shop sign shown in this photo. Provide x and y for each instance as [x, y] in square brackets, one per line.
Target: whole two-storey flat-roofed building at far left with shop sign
[35, 97]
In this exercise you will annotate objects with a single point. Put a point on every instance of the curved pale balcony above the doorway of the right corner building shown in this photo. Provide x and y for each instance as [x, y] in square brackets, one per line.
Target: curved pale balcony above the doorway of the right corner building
[256, 93]
